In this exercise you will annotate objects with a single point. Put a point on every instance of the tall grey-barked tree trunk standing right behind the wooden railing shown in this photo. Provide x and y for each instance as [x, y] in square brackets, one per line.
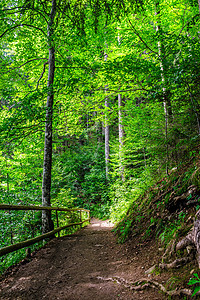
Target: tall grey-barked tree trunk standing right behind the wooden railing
[46, 184]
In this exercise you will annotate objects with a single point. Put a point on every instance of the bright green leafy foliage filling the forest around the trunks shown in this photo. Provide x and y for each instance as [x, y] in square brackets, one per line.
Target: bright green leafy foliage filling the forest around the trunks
[154, 142]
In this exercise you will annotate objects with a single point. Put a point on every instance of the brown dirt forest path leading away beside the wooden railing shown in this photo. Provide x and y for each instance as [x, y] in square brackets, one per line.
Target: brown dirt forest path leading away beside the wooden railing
[75, 268]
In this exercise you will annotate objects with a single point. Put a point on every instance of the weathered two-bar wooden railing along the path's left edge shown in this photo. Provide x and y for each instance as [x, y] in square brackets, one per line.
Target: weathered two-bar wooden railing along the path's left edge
[20, 245]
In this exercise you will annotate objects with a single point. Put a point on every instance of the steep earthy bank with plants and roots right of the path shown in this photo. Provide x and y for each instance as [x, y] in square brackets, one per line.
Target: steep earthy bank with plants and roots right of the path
[167, 212]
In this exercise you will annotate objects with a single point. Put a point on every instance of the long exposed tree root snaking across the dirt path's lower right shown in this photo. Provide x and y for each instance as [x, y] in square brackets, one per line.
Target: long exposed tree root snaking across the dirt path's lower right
[147, 283]
